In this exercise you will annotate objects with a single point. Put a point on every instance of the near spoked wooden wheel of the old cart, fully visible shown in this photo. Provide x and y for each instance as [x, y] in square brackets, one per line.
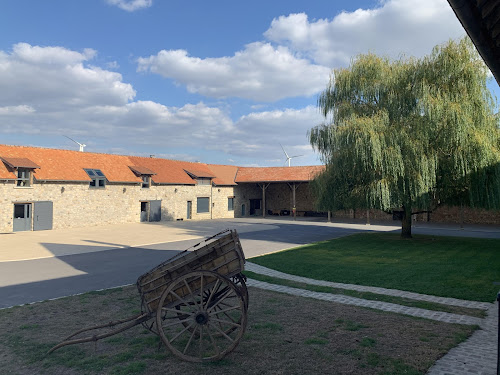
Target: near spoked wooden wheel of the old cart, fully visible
[197, 328]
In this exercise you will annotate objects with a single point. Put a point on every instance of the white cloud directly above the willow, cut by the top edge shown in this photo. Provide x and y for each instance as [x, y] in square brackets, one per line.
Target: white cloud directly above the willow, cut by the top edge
[395, 27]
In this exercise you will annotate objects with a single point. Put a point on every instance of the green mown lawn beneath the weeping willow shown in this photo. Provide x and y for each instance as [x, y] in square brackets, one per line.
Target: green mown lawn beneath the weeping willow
[464, 268]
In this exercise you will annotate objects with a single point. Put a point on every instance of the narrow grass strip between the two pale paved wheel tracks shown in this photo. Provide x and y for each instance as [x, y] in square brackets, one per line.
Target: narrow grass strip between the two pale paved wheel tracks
[370, 296]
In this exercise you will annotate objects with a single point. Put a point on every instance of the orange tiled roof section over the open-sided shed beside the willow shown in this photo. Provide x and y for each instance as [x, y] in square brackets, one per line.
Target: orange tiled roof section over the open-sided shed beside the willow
[278, 174]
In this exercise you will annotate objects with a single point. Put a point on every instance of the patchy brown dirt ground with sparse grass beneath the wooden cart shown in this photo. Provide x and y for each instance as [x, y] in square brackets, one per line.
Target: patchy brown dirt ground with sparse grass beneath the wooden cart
[285, 335]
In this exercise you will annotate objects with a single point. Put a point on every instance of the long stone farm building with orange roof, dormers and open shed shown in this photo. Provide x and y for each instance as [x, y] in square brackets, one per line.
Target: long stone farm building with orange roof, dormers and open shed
[44, 188]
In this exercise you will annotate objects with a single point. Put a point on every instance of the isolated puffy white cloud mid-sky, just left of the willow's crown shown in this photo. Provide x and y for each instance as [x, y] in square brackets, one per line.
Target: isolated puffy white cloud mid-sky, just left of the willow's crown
[260, 72]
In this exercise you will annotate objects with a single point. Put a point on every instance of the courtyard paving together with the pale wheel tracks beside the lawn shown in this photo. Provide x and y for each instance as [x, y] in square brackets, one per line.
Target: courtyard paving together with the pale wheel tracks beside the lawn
[35, 266]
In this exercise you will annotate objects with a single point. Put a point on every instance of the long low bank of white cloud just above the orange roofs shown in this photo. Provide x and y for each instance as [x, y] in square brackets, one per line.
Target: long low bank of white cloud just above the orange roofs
[50, 91]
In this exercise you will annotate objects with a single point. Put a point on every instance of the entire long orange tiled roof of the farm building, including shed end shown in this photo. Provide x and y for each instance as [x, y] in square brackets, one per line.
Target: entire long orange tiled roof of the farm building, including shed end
[65, 165]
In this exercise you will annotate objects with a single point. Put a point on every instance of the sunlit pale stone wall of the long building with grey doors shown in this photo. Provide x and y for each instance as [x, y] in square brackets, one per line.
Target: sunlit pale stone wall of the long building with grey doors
[77, 205]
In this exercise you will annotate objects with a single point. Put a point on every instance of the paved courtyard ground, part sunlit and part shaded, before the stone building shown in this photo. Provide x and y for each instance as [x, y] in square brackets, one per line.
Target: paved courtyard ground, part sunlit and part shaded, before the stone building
[41, 265]
